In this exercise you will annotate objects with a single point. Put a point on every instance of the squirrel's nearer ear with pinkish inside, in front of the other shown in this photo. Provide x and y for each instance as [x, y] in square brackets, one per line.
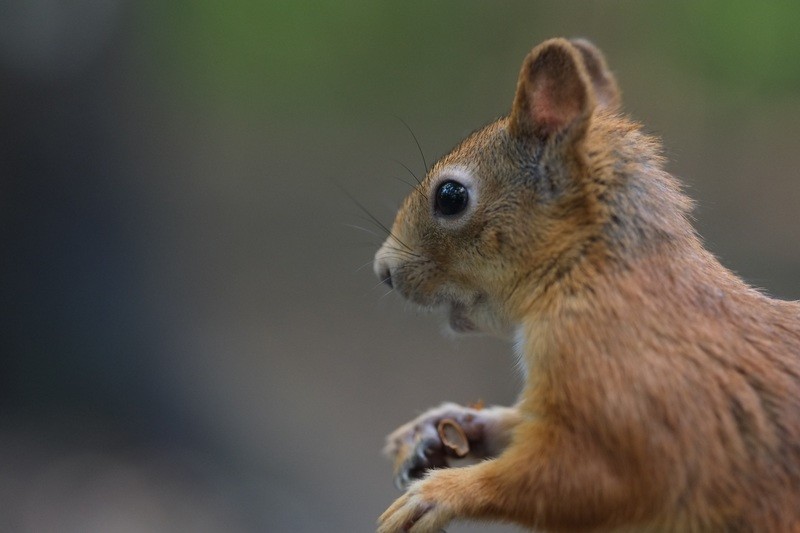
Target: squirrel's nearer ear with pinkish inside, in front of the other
[554, 93]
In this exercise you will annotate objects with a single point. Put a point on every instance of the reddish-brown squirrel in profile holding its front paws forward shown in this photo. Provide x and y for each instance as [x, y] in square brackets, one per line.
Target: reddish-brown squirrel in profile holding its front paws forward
[661, 393]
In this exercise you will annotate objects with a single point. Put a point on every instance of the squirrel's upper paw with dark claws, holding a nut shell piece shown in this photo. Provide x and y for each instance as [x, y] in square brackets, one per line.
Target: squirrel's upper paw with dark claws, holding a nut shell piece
[417, 447]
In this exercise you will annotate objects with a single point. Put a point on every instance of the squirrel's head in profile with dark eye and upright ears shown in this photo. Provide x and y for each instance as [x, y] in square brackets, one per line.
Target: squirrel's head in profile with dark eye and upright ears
[520, 205]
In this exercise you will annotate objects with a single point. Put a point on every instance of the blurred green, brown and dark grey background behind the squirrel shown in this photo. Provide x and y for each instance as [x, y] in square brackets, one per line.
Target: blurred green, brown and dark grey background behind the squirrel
[191, 336]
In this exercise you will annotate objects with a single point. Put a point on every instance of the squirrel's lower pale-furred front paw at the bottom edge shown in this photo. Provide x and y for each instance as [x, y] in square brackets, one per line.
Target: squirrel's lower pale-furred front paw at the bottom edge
[416, 511]
